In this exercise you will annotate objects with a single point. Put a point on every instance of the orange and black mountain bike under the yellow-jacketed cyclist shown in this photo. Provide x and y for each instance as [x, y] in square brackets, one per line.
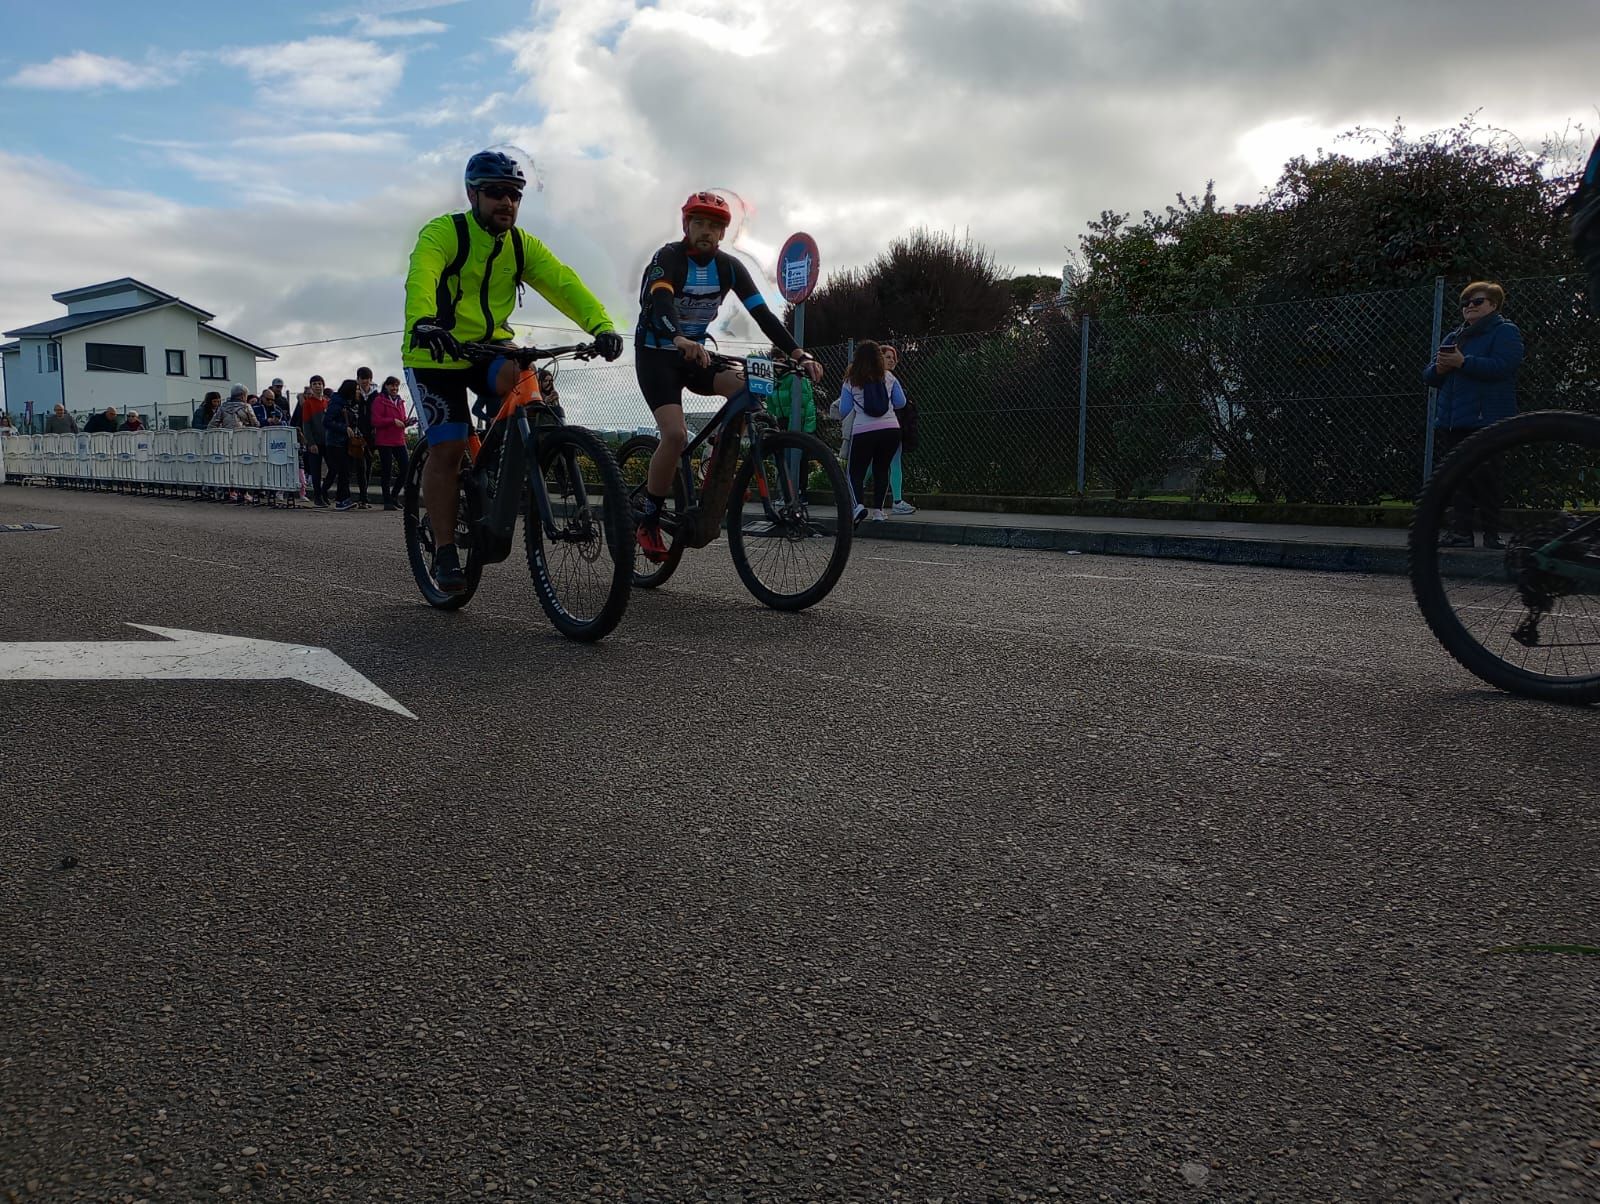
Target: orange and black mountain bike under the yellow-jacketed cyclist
[578, 529]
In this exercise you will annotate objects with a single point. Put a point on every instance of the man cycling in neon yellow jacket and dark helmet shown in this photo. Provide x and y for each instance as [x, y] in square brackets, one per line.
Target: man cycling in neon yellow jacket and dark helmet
[465, 281]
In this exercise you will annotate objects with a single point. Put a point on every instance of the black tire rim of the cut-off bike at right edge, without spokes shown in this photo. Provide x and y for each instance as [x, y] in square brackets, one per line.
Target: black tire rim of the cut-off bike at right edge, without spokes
[1428, 584]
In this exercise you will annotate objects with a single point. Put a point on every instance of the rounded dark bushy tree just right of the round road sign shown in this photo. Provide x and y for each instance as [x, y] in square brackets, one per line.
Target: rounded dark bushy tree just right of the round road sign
[927, 283]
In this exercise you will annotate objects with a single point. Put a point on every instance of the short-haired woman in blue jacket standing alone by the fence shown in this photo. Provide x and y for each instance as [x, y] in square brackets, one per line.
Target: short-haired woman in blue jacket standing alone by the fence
[1476, 375]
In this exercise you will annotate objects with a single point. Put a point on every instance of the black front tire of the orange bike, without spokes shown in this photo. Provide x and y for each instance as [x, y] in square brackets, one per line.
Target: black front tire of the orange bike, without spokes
[615, 528]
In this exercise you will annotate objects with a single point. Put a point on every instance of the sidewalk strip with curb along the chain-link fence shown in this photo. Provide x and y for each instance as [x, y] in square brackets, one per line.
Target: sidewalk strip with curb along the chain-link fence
[1329, 550]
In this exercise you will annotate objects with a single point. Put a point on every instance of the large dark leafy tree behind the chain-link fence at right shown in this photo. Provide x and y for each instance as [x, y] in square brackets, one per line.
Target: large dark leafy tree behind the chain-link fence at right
[1215, 353]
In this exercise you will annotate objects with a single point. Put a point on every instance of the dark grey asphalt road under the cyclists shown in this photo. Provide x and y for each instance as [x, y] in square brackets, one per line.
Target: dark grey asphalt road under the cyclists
[998, 877]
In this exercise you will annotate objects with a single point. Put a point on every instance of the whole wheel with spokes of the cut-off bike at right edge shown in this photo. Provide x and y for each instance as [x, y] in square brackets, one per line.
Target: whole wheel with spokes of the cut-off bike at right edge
[1527, 617]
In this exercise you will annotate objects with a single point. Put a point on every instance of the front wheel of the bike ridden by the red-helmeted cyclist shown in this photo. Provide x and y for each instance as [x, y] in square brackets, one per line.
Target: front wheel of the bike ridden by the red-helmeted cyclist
[791, 542]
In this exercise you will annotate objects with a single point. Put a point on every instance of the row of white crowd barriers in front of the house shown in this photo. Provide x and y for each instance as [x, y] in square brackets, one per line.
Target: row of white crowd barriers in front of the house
[159, 462]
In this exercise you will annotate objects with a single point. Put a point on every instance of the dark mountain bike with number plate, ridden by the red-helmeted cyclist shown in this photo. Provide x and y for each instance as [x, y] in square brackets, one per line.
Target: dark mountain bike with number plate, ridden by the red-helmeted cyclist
[782, 494]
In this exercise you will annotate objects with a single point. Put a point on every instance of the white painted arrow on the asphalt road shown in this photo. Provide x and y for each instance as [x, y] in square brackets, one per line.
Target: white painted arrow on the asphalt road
[190, 656]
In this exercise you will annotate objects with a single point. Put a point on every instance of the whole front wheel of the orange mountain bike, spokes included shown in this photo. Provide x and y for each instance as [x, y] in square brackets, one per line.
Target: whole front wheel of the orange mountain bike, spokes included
[585, 568]
